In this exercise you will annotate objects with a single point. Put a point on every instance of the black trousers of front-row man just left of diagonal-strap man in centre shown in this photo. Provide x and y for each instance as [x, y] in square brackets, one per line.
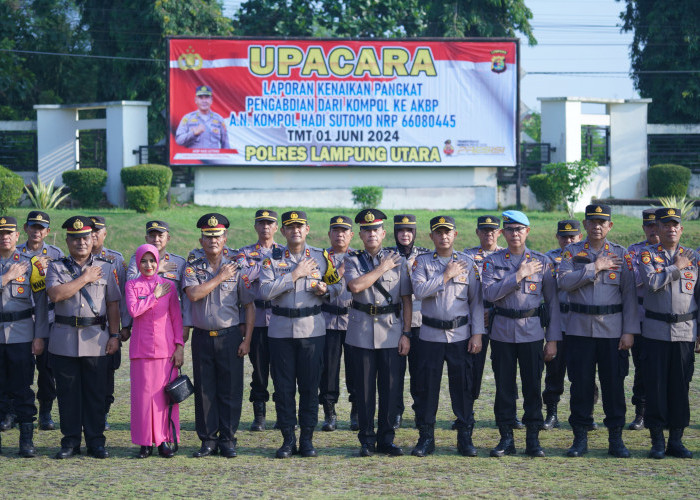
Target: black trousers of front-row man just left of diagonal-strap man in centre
[296, 364]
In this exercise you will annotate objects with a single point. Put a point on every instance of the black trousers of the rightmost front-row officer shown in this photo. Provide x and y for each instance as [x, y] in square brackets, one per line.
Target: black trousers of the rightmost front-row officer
[668, 369]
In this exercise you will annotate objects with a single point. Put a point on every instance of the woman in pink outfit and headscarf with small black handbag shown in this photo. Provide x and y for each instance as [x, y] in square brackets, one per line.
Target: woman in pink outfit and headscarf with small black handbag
[156, 344]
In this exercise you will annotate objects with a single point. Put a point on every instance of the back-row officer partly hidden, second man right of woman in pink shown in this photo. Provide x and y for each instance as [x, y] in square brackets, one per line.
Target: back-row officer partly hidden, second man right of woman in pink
[265, 226]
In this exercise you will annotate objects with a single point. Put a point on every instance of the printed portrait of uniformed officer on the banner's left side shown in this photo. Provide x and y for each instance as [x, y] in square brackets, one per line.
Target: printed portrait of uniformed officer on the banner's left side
[202, 128]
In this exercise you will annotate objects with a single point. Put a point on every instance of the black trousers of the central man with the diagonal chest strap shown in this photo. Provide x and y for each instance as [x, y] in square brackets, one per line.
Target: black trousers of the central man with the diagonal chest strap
[376, 370]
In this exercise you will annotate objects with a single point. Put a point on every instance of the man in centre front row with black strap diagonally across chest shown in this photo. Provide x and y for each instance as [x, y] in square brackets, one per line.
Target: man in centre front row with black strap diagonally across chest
[379, 331]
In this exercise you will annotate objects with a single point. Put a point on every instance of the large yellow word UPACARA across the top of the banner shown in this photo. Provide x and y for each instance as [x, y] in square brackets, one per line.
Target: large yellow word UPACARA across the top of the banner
[340, 61]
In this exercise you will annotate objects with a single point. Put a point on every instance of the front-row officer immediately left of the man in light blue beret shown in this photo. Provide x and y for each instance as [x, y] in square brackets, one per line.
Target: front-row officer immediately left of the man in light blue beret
[447, 283]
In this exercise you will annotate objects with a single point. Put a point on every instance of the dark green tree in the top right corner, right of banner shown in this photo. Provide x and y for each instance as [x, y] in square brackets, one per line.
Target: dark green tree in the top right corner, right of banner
[666, 40]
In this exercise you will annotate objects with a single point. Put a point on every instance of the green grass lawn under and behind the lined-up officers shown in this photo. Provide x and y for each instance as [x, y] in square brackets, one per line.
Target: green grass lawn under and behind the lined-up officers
[337, 471]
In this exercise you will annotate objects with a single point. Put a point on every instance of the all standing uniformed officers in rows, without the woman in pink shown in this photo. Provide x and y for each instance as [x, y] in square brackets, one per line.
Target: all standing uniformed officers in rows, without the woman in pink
[294, 309]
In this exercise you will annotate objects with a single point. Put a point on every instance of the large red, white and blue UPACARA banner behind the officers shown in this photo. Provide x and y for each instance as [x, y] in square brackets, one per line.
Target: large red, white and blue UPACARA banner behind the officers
[342, 102]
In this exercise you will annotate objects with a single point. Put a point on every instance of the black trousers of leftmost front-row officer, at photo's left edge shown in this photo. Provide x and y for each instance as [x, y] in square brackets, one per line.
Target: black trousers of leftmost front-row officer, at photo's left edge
[16, 378]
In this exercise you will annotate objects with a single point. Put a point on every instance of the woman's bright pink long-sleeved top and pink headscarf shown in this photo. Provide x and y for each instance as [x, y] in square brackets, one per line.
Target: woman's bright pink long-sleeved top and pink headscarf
[157, 326]
